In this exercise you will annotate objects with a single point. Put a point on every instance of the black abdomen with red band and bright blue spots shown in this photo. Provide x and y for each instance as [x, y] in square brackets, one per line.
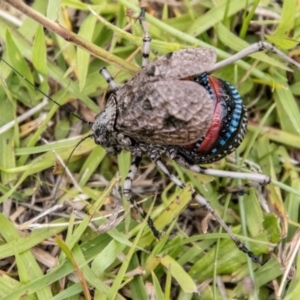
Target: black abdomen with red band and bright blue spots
[228, 126]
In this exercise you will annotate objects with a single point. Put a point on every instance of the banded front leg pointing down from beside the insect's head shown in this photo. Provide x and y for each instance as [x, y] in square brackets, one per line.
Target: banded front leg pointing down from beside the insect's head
[127, 193]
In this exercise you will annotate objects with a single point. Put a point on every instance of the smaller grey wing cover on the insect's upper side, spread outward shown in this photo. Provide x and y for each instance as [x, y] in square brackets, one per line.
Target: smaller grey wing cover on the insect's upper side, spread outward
[176, 65]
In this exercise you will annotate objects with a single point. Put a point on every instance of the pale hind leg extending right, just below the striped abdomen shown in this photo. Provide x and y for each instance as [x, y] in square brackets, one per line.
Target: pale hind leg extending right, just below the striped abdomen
[255, 177]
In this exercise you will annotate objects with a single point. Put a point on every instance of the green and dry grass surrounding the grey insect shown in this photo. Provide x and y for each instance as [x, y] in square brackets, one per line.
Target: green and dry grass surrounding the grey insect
[76, 246]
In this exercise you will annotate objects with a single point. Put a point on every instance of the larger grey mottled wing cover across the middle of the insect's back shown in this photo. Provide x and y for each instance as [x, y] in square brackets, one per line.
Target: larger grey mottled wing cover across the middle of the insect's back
[171, 112]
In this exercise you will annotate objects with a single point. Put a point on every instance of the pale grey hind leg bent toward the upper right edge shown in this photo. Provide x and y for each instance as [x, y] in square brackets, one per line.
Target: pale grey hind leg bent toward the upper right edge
[256, 47]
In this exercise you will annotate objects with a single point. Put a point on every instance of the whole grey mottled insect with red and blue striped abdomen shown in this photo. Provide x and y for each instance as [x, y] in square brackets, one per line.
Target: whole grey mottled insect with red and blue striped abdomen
[174, 107]
